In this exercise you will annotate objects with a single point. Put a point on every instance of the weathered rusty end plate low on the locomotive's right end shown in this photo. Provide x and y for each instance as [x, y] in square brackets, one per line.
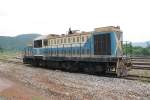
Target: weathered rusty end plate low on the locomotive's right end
[121, 69]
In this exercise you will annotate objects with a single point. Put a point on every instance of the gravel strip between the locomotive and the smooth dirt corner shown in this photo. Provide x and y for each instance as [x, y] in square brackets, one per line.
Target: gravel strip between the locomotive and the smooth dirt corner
[65, 85]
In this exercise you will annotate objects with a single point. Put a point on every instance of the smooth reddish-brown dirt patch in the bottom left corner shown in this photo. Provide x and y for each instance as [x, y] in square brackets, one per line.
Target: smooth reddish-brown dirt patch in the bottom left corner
[13, 90]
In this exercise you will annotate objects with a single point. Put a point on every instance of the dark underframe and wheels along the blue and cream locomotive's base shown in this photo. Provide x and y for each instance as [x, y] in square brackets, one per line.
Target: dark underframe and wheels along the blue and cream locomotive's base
[119, 65]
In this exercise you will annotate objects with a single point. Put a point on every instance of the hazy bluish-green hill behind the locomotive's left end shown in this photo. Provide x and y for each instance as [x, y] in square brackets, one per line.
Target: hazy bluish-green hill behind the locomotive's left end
[17, 42]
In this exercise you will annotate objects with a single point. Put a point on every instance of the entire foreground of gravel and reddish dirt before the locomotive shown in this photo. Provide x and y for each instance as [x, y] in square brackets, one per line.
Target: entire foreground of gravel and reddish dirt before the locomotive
[23, 82]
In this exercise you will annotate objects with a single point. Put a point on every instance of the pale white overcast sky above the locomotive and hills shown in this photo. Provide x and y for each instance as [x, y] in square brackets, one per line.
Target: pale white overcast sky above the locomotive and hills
[56, 16]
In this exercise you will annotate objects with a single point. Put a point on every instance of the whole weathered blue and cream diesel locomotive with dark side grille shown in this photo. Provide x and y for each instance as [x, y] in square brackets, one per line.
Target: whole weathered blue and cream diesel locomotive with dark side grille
[98, 51]
